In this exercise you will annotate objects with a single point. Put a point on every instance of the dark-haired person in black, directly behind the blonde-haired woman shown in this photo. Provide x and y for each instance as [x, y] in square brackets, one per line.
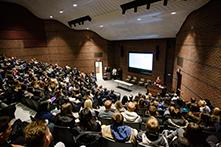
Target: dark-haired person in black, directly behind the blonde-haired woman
[88, 121]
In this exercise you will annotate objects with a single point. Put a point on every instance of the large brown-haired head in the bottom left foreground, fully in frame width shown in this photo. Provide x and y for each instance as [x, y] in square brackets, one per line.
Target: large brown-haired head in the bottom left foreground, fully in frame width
[37, 134]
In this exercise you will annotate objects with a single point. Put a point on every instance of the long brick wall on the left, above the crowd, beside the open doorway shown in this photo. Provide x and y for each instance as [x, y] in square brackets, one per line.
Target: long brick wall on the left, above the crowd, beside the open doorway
[25, 36]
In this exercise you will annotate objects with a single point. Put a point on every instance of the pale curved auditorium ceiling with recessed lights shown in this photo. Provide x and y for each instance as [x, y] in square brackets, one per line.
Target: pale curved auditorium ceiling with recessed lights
[108, 20]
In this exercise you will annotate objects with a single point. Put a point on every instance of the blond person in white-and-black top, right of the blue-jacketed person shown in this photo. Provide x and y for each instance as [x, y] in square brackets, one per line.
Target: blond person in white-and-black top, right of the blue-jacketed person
[152, 136]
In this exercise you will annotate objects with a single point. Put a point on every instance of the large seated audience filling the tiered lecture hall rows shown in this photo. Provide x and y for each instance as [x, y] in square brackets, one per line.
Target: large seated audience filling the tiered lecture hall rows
[43, 86]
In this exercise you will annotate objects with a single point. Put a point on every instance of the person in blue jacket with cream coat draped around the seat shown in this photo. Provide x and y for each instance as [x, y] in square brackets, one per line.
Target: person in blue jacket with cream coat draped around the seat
[118, 131]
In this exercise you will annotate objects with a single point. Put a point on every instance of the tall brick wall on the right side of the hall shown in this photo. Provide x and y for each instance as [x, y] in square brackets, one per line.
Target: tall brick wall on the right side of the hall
[198, 49]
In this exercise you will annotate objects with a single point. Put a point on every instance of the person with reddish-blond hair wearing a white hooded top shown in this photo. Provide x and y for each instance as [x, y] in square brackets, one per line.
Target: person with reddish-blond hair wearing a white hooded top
[129, 115]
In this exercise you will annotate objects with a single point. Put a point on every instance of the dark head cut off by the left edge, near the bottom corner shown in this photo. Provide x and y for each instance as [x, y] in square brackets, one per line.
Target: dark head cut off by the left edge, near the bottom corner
[5, 128]
